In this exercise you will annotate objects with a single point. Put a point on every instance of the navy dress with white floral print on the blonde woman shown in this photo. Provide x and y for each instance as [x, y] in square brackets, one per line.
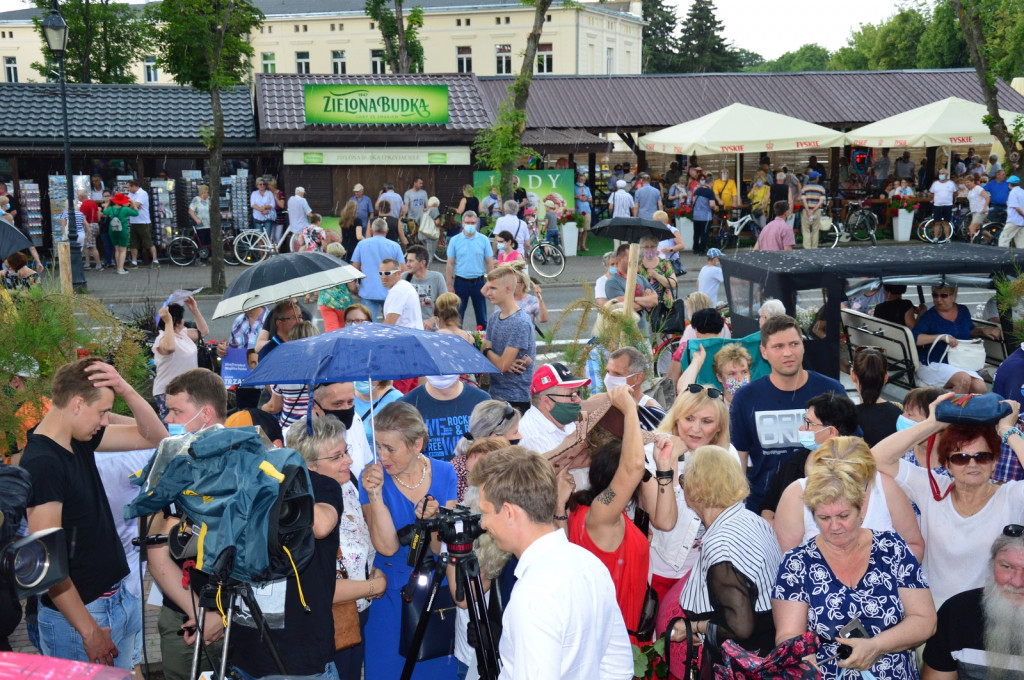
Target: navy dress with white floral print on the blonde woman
[806, 577]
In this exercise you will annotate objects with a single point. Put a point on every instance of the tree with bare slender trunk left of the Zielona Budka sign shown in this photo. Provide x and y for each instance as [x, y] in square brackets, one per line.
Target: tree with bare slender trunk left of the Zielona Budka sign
[205, 45]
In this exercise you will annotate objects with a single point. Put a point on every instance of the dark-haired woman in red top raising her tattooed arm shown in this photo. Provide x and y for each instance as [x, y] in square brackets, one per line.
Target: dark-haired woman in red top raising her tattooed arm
[598, 520]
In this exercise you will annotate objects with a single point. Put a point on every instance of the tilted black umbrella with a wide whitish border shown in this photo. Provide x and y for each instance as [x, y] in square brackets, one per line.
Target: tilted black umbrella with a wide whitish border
[284, 277]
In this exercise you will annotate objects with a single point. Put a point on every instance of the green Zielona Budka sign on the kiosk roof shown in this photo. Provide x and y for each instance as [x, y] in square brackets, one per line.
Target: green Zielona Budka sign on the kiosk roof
[376, 105]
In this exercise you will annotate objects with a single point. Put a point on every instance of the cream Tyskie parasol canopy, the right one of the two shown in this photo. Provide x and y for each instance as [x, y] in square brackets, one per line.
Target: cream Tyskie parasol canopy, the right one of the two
[952, 121]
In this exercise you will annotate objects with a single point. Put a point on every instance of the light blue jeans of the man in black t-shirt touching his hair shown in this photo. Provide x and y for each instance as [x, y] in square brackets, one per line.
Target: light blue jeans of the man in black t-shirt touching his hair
[121, 613]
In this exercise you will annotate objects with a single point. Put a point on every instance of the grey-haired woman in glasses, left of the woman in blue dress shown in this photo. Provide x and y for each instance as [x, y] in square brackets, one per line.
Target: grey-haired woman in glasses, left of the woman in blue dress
[327, 453]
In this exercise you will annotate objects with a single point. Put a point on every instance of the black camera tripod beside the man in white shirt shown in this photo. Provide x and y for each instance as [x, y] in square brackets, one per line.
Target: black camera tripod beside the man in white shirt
[470, 586]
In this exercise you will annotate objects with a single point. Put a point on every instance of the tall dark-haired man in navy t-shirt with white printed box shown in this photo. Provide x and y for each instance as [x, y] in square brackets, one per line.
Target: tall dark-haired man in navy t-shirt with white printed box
[766, 414]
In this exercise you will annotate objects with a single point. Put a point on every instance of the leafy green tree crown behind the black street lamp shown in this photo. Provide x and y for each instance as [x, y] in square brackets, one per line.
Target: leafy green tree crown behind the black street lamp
[105, 40]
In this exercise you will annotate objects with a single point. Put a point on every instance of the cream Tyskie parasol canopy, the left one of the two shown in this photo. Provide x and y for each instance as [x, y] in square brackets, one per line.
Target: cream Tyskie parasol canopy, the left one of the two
[741, 130]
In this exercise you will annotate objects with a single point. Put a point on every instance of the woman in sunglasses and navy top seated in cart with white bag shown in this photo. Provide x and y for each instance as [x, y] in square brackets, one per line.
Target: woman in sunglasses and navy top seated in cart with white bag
[941, 328]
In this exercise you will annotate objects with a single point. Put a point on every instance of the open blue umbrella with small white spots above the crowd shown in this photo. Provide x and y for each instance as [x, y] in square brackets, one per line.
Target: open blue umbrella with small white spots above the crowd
[362, 352]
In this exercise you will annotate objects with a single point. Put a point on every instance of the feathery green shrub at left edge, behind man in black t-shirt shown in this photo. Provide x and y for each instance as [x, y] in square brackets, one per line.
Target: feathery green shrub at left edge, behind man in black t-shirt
[50, 328]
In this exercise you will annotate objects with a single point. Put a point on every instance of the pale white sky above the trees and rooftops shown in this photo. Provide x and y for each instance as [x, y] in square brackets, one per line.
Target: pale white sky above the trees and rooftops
[770, 28]
